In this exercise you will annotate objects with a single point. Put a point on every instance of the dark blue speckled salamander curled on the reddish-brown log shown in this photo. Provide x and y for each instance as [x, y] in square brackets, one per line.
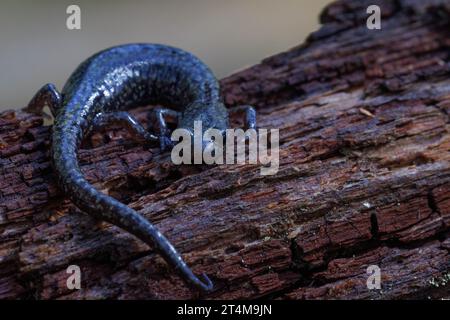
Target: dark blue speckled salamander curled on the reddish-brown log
[98, 93]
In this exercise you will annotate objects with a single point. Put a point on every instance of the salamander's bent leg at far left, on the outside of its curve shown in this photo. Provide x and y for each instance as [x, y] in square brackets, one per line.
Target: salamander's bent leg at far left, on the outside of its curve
[47, 95]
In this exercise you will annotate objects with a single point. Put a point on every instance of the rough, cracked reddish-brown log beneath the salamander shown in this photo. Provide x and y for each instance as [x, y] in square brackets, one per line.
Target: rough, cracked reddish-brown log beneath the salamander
[364, 179]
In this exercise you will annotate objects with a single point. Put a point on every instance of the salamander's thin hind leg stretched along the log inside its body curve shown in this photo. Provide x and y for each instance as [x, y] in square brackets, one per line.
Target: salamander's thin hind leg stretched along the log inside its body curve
[128, 121]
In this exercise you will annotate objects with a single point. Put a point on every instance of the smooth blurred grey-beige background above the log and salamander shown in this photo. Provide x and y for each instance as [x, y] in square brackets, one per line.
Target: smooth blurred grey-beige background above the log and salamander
[36, 47]
